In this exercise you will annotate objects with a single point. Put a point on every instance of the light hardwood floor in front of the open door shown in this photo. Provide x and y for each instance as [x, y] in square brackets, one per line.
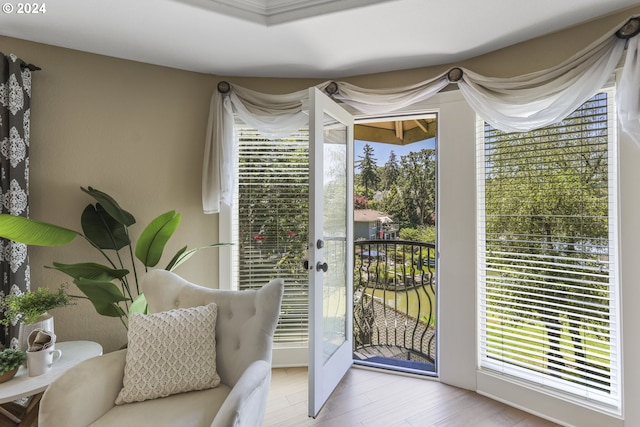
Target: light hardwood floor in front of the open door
[368, 398]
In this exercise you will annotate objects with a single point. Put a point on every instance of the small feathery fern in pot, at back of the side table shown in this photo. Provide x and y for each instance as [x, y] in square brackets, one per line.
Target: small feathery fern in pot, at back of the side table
[31, 310]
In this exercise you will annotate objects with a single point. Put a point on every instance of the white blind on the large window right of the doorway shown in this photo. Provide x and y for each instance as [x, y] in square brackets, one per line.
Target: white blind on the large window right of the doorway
[547, 254]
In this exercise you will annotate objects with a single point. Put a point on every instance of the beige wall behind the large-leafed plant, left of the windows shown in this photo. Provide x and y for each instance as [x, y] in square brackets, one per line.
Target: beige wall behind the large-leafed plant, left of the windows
[135, 131]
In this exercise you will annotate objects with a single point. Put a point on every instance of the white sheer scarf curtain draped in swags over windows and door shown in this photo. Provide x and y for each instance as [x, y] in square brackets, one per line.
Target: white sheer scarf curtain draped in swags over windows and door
[513, 104]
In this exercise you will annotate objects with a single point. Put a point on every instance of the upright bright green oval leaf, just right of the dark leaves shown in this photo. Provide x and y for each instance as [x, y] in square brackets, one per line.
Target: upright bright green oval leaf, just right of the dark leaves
[155, 236]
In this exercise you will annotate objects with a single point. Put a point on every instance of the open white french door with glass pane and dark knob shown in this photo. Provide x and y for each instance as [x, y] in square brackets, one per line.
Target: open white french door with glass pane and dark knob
[330, 262]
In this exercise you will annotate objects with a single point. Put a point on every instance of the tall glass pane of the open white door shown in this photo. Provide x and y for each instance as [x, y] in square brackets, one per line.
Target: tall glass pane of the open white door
[334, 235]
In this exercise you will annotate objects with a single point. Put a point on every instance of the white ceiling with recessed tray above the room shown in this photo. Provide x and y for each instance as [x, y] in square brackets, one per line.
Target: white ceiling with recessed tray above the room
[297, 38]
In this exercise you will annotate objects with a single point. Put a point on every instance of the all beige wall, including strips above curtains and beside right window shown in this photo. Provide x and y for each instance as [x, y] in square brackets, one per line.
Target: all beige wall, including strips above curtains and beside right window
[137, 131]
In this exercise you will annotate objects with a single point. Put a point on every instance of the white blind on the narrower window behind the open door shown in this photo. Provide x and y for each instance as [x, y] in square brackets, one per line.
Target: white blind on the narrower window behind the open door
[270, 223]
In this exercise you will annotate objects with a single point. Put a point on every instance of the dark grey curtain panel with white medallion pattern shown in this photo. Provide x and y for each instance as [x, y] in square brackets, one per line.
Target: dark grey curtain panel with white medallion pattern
[15, 97]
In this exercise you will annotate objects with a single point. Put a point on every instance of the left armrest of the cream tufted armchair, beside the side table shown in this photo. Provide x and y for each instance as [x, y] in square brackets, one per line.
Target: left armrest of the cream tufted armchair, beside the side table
[83, 393]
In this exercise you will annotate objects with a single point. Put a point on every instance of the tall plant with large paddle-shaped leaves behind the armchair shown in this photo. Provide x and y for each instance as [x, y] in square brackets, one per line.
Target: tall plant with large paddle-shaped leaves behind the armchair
[111, 287]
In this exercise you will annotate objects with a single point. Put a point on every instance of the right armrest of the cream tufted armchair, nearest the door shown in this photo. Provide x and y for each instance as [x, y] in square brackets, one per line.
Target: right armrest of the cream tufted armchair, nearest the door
[246, 403]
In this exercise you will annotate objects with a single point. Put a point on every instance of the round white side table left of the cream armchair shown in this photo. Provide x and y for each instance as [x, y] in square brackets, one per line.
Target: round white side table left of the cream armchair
[22, 385]
